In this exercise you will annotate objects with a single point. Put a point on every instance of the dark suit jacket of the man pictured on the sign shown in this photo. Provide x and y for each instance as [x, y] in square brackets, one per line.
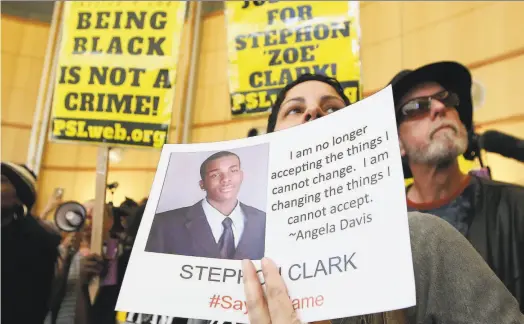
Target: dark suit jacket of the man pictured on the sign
[185, 231]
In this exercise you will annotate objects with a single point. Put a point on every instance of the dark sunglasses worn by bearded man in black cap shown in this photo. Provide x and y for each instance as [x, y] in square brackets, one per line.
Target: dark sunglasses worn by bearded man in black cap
[419, 106]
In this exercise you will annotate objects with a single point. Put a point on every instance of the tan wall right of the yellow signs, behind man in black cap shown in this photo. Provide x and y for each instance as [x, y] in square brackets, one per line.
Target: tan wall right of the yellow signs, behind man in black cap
[486, 36]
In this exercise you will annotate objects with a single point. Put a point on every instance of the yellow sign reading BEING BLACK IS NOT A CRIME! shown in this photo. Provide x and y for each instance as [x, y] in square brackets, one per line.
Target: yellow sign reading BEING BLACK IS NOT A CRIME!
[116, 72]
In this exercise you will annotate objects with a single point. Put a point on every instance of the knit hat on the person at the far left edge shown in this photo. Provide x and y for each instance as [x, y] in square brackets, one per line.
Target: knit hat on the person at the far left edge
[24, 181]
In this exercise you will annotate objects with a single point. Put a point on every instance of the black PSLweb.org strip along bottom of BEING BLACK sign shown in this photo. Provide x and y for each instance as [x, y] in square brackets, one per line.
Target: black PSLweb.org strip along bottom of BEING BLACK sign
[124, 133]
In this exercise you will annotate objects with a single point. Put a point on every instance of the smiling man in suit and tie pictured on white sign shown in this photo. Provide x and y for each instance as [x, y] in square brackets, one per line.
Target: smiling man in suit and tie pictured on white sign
[218, 226]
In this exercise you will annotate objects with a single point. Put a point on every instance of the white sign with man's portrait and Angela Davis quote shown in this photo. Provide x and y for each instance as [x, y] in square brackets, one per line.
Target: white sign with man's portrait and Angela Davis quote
[325, 200]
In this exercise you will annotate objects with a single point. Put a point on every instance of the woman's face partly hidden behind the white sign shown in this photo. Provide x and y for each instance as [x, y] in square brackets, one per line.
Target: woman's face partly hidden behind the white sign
[307, 101]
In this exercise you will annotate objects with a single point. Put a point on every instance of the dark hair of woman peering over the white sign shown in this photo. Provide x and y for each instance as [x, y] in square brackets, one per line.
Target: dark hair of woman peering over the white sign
[272, 120]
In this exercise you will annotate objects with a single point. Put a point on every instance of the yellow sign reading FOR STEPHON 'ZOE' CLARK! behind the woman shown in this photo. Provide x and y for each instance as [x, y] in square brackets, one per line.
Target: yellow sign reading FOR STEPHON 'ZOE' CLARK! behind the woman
[271, 43]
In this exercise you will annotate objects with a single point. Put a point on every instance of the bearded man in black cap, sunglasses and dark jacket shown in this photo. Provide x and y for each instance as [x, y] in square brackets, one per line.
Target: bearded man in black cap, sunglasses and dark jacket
[434, 115]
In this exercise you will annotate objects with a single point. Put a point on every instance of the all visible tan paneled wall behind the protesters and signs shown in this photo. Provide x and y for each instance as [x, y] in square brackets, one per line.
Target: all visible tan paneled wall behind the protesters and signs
[486, 36]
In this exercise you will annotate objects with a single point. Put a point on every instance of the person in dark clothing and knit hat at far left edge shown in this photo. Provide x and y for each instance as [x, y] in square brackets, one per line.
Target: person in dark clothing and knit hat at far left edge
[29, 250]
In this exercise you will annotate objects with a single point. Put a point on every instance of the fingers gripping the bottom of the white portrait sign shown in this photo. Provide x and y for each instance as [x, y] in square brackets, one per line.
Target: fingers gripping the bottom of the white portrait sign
[276, 306]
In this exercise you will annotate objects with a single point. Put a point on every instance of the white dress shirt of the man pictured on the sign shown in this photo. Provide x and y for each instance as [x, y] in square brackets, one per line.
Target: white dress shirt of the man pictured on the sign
[215, 219]
